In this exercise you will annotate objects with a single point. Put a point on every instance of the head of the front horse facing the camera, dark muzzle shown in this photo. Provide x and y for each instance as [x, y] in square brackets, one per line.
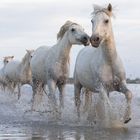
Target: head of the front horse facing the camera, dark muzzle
[101, 24]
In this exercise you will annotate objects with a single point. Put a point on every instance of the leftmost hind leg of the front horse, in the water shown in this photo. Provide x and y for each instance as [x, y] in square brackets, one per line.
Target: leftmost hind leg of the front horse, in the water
[77, 91]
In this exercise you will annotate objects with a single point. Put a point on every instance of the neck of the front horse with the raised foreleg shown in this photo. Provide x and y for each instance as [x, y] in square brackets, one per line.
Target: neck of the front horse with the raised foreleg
[109, 50]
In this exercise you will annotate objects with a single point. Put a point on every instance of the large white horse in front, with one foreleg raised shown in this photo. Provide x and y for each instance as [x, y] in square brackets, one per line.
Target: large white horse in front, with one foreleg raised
[101, 65]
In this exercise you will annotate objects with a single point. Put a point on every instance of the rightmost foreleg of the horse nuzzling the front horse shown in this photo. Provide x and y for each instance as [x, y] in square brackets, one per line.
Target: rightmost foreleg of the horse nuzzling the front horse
[61, 94]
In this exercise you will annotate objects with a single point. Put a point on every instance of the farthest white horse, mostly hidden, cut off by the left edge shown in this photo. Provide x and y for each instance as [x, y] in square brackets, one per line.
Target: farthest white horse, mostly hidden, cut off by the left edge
[3, 80]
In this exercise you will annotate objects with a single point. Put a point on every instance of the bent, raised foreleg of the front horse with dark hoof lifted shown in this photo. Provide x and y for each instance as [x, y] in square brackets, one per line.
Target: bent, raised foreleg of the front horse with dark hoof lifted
[128, 96]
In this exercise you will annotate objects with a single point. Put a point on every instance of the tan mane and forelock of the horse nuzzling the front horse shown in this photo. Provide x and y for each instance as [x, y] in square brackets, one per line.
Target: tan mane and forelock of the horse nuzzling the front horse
[64, 28]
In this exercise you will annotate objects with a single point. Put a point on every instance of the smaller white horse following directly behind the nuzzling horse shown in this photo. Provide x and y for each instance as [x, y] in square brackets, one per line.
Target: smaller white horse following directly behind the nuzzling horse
[19, 73]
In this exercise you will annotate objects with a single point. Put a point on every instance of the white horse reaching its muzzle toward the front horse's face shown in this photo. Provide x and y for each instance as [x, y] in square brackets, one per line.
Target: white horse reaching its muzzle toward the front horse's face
[51, 65]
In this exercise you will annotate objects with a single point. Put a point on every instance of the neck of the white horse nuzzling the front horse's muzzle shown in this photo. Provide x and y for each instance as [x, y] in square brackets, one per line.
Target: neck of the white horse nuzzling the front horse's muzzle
[64, 49]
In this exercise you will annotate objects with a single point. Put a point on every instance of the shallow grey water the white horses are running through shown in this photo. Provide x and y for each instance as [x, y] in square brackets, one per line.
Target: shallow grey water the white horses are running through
[15, 124]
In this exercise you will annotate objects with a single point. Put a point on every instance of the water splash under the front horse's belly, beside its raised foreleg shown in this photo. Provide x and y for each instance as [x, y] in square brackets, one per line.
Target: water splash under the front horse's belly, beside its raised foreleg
[105, 111]
